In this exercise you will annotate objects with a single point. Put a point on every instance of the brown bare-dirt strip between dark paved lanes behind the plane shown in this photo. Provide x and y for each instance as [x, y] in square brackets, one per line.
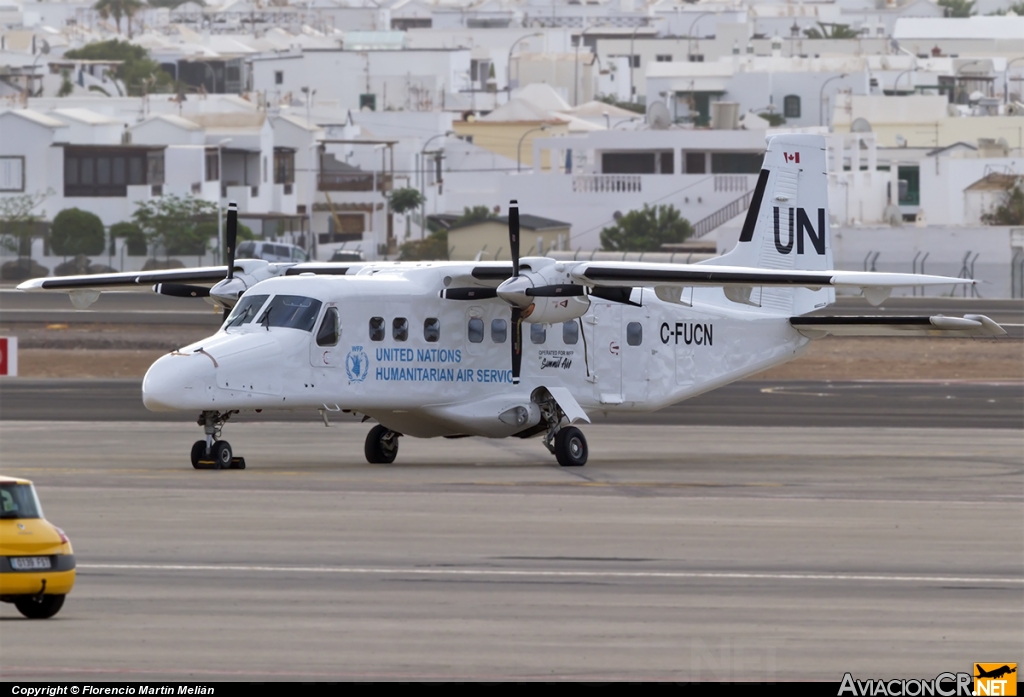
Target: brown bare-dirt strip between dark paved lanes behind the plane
[126, 352]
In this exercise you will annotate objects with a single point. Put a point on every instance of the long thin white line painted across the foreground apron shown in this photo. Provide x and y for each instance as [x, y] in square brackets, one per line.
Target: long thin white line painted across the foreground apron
[721, 576]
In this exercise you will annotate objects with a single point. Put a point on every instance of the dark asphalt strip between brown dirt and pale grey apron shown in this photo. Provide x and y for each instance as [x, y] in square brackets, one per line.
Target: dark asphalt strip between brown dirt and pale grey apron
[818, 404]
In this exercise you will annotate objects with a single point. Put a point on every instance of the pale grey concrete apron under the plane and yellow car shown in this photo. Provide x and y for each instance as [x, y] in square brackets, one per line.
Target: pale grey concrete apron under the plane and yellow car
[679, 553]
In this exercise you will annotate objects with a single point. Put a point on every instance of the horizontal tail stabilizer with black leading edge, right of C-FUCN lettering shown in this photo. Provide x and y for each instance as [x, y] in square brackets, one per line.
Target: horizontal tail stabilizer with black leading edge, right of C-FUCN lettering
[897, 326]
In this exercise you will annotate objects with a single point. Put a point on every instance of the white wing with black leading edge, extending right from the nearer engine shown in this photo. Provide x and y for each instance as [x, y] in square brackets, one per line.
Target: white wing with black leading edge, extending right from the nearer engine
[628, 275]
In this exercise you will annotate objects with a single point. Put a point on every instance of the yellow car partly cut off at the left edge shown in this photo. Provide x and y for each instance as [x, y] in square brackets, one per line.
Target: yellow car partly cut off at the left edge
[37, 565]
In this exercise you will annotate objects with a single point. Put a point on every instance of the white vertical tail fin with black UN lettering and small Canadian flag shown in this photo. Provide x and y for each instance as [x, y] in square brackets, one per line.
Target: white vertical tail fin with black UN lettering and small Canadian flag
[787, 226]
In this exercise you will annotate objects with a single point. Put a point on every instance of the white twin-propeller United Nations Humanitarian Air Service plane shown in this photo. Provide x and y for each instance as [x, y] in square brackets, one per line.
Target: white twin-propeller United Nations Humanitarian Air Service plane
[523, 350]
